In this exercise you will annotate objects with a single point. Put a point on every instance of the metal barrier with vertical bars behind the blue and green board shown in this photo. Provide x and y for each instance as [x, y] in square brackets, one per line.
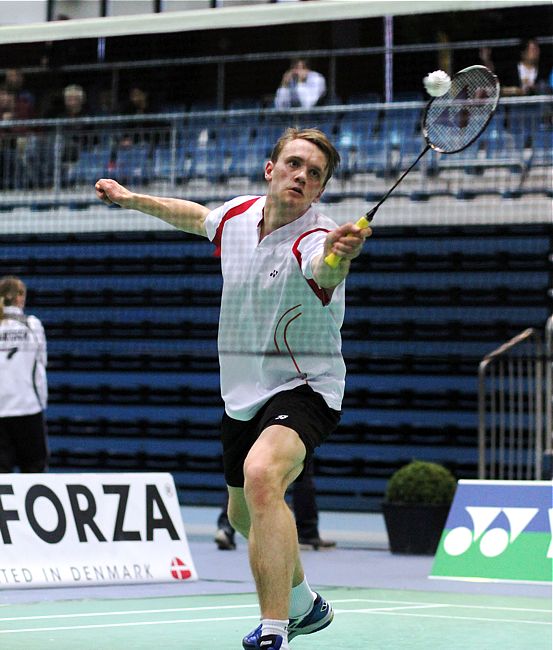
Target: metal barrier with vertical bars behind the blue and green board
[514, 407]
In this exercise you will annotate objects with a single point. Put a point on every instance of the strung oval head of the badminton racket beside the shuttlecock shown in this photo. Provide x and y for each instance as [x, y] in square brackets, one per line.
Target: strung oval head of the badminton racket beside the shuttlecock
[455, 120]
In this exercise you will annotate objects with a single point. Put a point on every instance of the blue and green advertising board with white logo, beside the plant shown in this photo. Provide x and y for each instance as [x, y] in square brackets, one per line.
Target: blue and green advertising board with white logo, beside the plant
[499, 531]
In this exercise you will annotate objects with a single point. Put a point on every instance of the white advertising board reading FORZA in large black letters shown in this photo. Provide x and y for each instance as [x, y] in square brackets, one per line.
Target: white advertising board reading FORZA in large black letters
[91, 529]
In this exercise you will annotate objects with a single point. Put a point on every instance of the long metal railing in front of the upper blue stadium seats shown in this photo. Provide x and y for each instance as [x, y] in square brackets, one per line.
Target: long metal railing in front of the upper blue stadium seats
[375, 140]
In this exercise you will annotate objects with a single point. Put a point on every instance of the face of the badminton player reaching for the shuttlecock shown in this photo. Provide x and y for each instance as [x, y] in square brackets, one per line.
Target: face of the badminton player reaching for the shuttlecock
[296, 179]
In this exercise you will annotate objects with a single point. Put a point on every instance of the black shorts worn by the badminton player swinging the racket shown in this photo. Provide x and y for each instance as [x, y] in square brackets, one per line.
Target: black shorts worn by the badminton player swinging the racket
[307, 414]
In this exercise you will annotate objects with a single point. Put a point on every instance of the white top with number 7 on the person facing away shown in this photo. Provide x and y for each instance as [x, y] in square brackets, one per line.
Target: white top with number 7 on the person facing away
[23, 388]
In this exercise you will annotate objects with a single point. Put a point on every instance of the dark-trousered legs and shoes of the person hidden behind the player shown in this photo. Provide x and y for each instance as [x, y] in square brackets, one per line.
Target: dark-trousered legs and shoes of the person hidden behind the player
[304, 503]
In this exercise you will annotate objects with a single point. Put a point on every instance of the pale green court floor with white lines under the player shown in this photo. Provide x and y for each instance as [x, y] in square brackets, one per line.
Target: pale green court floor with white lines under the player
[365, 619]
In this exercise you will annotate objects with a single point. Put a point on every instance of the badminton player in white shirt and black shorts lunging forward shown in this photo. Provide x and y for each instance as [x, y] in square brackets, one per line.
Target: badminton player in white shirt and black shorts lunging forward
[282, 371]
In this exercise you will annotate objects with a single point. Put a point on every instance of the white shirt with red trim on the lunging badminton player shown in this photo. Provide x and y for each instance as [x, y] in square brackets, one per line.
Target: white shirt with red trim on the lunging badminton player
[277, 328]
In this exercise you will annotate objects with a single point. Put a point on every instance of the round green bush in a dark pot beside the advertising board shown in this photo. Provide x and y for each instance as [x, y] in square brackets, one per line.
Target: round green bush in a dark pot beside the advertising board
[416, 505]
